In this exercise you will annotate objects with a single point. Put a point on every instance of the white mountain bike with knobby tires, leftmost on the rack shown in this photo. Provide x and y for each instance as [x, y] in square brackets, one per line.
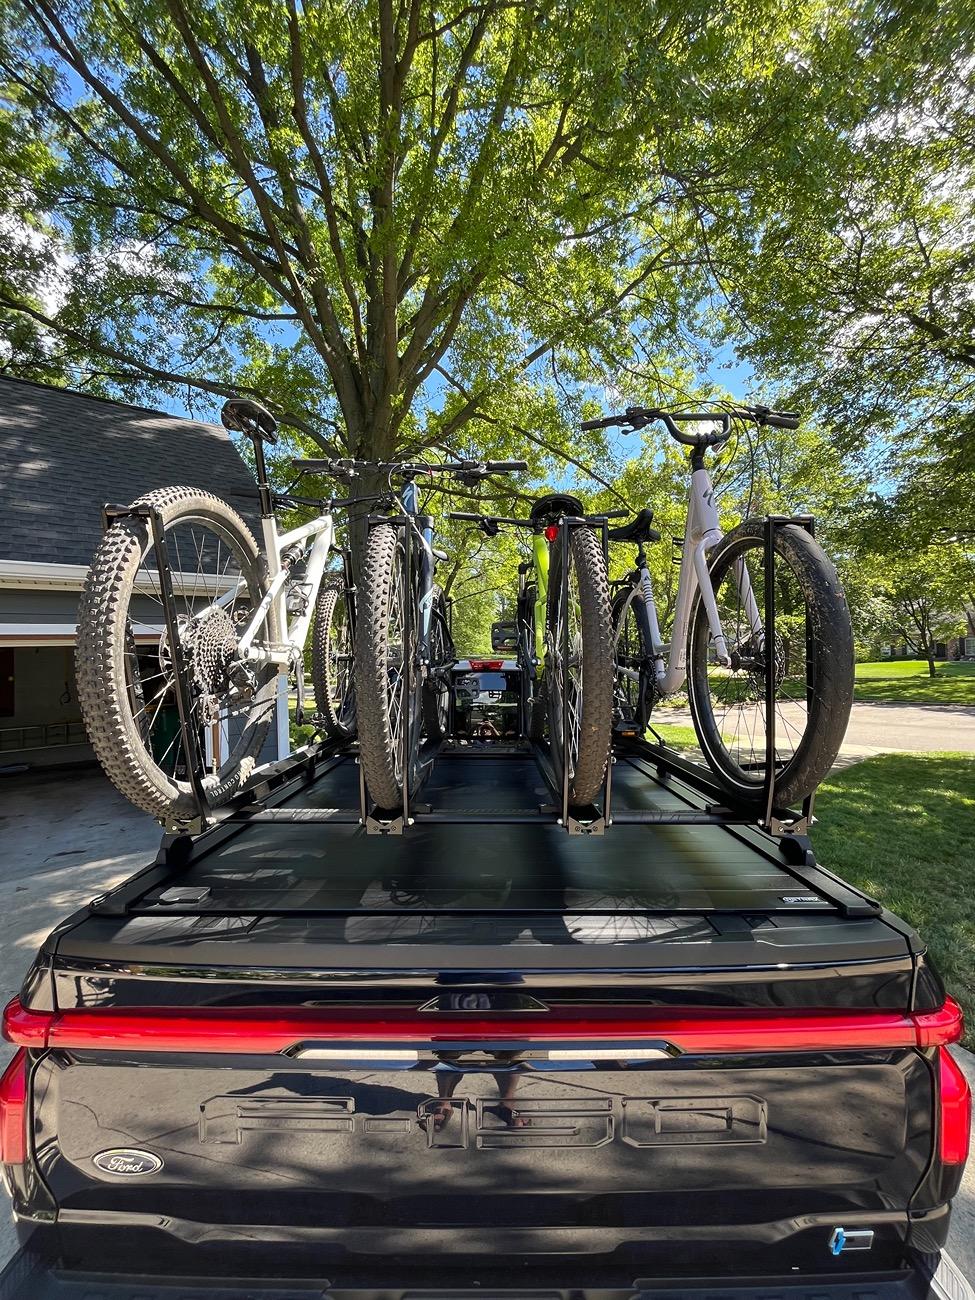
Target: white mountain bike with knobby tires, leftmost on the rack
[211, 664]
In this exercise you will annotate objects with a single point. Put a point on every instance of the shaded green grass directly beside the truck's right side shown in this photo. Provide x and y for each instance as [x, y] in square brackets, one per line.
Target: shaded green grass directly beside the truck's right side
[903, 829]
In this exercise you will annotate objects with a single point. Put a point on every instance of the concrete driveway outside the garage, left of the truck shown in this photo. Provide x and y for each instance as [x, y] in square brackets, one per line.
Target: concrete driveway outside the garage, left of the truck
[70, 837]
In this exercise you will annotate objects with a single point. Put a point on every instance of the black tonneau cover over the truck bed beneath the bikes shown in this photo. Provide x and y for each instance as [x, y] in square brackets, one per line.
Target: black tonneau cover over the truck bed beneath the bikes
[662, 909]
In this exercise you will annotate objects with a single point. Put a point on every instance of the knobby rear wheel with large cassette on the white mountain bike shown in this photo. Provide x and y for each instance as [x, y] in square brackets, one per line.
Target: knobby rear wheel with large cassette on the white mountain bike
[125, 661]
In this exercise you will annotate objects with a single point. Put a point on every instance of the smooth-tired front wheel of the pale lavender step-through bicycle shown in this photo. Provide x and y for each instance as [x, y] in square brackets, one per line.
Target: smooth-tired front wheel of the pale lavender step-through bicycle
[812, 664]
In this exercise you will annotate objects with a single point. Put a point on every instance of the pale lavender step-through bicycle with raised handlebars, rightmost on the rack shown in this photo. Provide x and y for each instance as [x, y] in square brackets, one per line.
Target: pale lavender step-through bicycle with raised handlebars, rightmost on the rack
[718, 643]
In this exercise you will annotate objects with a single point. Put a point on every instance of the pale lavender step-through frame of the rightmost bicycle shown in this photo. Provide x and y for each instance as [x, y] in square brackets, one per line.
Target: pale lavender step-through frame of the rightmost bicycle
[704, 532]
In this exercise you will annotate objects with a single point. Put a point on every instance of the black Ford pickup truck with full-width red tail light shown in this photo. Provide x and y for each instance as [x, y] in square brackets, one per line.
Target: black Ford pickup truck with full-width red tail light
[483, 1058]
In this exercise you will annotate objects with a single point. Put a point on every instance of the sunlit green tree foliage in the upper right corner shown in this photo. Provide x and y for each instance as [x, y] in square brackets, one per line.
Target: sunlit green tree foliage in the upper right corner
[859, 289]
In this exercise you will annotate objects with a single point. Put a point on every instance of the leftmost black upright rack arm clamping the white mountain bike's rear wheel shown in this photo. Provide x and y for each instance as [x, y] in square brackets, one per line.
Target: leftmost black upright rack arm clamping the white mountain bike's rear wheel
[190, 814]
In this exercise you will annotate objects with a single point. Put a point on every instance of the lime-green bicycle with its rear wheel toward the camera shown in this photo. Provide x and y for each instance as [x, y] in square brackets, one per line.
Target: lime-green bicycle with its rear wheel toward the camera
[565, 647]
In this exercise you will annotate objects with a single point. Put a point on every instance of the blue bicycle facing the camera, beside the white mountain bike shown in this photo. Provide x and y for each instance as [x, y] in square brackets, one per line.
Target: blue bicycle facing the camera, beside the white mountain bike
[404, 649]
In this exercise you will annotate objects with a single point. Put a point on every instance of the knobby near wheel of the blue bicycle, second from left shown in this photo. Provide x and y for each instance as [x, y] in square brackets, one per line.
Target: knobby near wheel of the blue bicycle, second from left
[389, 717]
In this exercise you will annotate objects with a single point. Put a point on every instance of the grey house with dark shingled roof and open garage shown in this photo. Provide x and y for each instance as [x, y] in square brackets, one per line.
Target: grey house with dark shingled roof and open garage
[63, 457]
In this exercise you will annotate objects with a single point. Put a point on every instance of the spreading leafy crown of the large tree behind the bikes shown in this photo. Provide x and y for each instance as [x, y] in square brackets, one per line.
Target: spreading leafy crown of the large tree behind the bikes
[380, 215]
